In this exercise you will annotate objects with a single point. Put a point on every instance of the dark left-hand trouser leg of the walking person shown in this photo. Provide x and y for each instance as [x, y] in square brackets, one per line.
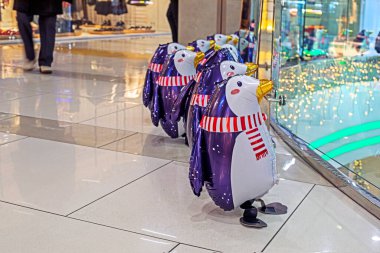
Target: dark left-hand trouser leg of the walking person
[26, 32]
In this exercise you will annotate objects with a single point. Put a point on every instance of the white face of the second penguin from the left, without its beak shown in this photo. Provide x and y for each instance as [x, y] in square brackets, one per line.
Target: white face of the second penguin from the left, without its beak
[184, 62]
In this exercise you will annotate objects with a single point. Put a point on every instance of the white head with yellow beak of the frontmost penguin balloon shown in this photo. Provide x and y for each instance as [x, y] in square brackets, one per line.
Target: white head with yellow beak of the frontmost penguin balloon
[244, 94]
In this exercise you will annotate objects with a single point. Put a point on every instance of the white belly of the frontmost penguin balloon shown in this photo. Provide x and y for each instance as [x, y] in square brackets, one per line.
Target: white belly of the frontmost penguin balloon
[251, 177]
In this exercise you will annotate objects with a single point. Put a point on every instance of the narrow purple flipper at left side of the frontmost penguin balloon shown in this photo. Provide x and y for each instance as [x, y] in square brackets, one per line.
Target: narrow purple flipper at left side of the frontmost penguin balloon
[197, 162]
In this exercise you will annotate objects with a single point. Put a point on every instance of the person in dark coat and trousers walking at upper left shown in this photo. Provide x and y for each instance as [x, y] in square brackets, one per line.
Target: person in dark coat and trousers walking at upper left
[47, 10]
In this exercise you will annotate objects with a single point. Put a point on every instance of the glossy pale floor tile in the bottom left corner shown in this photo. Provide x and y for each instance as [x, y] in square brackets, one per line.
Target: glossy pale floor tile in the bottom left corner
[29, 231]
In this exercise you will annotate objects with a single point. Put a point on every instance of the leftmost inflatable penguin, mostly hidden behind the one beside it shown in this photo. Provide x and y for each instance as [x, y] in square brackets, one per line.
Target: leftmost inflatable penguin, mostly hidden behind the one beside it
[155, 67]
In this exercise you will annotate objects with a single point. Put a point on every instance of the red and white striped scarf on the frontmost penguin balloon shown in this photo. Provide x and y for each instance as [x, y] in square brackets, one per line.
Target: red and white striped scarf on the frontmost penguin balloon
[248, 124]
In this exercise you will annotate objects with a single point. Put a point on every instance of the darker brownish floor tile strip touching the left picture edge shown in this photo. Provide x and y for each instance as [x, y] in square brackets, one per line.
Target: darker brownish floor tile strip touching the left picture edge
[46, 129]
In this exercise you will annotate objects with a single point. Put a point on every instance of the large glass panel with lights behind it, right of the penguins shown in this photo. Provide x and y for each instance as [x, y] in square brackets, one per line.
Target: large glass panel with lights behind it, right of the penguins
[330, 73]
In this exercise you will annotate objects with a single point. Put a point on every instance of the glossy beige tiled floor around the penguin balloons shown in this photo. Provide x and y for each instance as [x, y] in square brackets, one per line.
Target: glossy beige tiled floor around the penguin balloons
[82, 169]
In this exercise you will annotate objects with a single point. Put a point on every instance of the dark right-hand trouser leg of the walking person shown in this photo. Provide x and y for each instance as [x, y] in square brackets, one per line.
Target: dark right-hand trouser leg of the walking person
[47, 33]
